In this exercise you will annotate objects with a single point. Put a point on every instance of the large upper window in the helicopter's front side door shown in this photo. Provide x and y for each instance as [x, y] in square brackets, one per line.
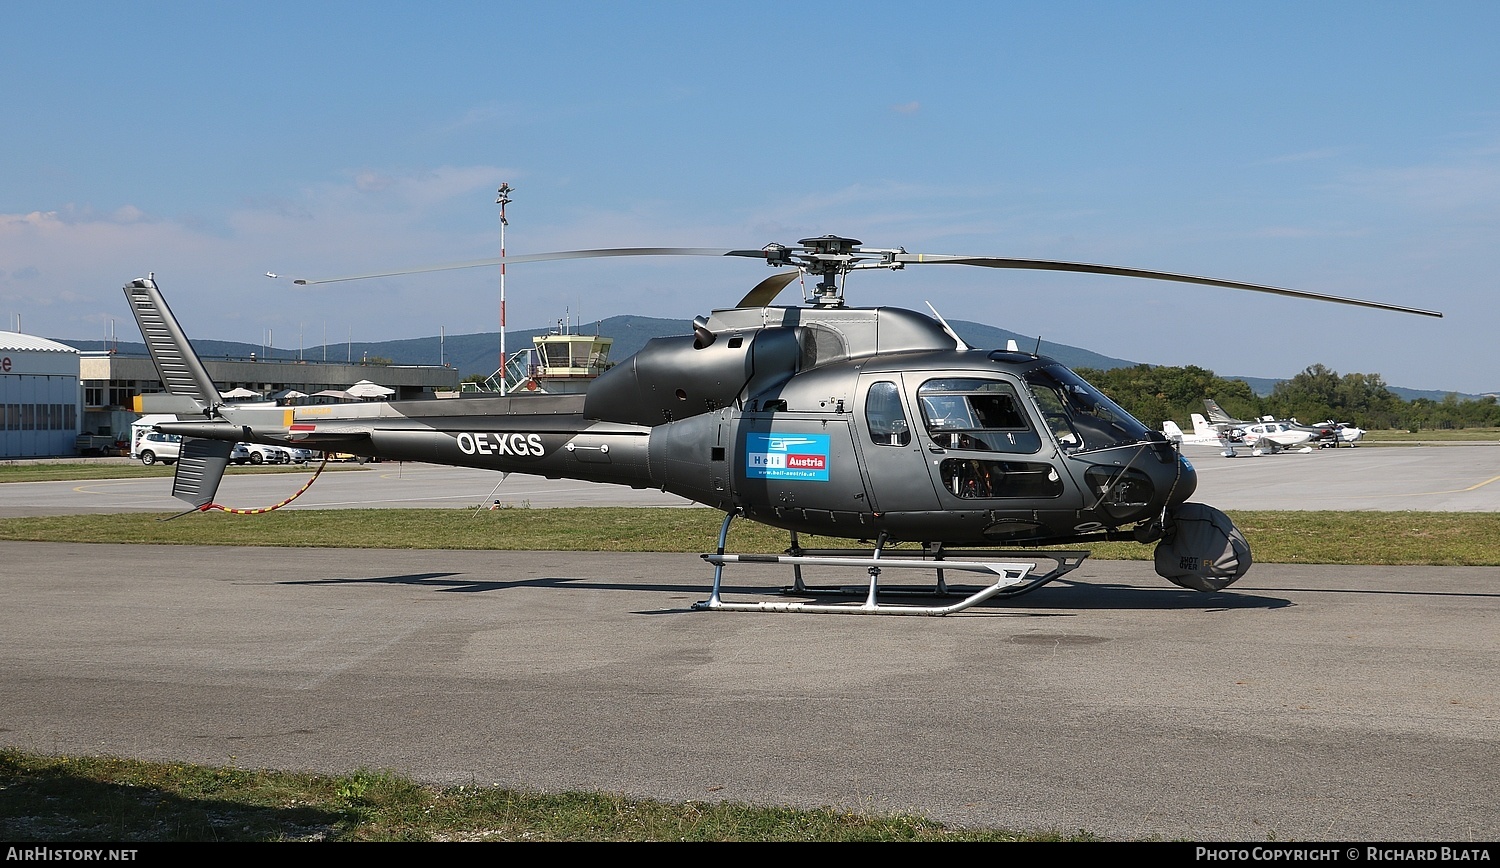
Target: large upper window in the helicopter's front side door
[977, 415]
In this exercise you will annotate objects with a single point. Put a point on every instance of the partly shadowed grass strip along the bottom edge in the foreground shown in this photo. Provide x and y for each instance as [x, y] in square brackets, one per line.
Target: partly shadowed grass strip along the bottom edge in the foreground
[100, 798]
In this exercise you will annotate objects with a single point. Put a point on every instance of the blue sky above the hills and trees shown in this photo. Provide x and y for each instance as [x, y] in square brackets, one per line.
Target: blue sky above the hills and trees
[1343, 148]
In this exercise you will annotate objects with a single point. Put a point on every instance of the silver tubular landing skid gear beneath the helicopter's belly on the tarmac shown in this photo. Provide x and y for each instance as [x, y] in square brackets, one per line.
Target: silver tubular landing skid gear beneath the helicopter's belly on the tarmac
[1013, 576]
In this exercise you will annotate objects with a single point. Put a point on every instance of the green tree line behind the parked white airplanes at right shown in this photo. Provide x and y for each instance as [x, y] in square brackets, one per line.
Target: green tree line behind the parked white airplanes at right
[1157, 394]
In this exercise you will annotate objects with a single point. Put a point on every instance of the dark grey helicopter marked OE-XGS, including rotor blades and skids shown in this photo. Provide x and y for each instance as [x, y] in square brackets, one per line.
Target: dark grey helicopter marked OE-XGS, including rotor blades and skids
[874, 425]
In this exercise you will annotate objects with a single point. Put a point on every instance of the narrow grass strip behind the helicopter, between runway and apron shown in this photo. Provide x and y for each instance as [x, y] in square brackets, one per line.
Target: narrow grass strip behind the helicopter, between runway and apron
[1276, 537]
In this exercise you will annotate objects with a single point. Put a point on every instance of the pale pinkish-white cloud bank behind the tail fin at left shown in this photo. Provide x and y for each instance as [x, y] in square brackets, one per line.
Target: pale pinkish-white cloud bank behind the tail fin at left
[65, 268]
